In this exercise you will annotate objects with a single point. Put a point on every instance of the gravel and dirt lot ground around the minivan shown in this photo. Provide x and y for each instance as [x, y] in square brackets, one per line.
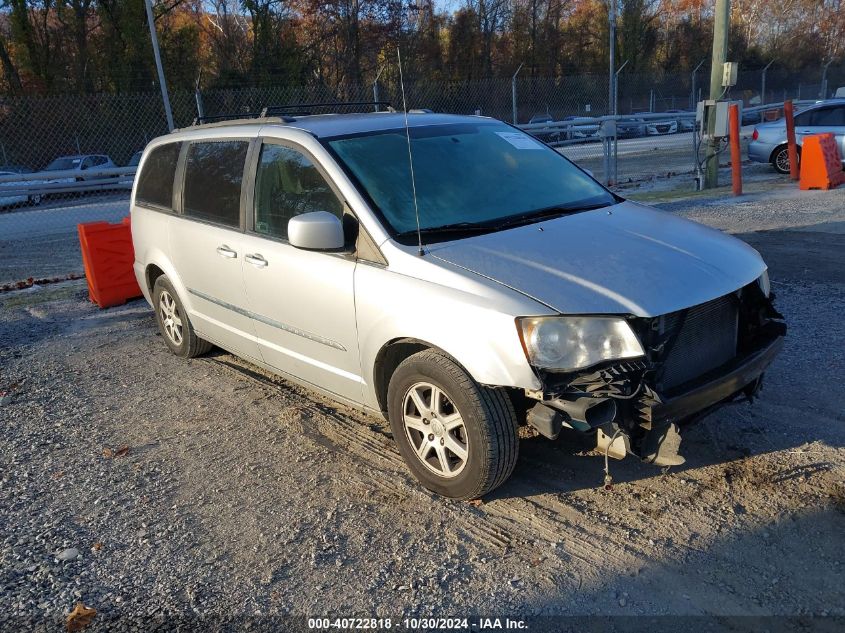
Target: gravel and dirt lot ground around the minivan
[241, 495]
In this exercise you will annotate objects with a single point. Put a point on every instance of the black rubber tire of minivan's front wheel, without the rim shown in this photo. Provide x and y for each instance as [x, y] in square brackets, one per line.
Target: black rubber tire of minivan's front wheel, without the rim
[489, 424]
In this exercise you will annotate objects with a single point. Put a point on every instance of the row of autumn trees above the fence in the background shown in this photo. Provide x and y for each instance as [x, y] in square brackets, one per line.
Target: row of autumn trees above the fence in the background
[93, 46]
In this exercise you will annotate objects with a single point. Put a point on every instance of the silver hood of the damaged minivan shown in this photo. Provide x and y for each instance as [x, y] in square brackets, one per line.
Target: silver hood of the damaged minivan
[624, 259]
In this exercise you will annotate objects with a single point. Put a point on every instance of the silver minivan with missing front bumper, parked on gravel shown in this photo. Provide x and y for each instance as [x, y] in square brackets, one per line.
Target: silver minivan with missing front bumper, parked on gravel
[494, 284]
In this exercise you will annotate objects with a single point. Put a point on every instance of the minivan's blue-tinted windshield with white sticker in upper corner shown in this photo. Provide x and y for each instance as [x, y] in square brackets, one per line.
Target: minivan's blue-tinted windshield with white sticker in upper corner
[467, 174]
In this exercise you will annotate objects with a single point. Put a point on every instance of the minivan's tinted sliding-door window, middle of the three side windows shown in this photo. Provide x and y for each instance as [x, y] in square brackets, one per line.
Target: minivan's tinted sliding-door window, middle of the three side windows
[213, 174]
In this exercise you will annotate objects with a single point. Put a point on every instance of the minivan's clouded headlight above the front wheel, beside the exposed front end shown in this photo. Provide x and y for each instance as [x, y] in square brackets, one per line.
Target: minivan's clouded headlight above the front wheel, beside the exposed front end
[567, 343]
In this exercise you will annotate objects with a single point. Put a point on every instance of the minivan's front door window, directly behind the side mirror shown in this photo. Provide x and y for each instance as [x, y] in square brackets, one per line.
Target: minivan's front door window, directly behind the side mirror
[288, 184]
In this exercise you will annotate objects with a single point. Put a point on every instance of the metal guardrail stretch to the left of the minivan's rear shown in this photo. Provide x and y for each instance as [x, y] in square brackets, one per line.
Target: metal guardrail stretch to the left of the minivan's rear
[47, 183]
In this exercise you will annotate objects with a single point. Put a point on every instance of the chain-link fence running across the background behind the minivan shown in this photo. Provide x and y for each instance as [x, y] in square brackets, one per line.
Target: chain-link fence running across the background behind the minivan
[66, 159]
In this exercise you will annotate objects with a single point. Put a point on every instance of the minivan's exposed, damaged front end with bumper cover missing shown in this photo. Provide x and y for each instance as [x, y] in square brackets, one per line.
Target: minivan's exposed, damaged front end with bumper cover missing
[635, 406]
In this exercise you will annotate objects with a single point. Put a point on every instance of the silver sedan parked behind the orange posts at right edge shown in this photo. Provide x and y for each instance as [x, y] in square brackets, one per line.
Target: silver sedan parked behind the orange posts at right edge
[768, 142]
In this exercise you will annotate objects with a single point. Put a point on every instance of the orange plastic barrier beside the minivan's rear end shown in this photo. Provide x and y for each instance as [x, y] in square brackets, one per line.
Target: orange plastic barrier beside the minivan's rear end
[108, 256]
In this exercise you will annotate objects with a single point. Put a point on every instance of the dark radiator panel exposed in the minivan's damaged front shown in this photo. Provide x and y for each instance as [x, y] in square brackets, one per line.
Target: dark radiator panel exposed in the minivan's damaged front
[707, 339]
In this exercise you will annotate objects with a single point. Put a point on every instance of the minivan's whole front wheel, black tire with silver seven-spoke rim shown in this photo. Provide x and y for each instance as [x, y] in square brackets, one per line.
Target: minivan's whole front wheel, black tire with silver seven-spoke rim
[457, 437]
